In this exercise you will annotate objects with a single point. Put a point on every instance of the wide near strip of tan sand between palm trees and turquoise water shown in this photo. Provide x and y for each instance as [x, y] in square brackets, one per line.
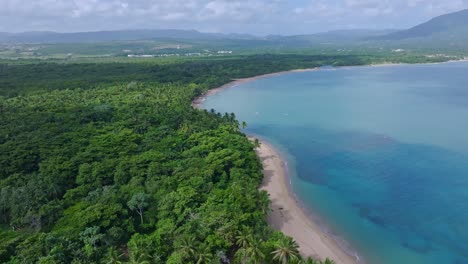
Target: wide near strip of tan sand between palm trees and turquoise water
[288, 216]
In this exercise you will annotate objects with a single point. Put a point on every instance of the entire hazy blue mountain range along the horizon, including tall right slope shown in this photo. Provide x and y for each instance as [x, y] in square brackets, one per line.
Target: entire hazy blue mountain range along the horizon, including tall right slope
[450, 28]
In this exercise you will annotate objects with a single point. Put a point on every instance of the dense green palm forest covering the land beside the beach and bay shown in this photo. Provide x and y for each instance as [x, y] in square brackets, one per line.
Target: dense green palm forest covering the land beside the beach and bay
[108, 162]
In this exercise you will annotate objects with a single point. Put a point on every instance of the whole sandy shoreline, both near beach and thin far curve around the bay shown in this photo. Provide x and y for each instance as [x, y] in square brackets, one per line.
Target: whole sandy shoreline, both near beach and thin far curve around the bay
[293, 219]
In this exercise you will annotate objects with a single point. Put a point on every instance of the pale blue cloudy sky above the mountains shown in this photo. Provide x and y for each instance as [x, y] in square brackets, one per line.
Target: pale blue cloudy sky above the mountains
[259, 17]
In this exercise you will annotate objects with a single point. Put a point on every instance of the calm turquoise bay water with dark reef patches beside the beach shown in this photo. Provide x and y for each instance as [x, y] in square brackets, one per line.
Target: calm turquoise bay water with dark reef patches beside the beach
[379, 153]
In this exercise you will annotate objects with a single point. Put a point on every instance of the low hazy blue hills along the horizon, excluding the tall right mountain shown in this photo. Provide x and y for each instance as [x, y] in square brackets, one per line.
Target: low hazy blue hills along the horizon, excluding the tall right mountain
[338, 36]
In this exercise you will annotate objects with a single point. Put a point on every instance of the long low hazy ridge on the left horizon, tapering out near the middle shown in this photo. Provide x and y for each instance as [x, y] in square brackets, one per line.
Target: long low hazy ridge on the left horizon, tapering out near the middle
[120, 35]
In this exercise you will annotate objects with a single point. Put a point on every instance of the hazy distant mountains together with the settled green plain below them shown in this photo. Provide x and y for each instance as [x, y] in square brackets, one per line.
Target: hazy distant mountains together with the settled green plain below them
[443, 36]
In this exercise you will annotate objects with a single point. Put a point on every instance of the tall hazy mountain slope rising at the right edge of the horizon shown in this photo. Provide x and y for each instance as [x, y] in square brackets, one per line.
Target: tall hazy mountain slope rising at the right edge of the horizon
[449, 27]
